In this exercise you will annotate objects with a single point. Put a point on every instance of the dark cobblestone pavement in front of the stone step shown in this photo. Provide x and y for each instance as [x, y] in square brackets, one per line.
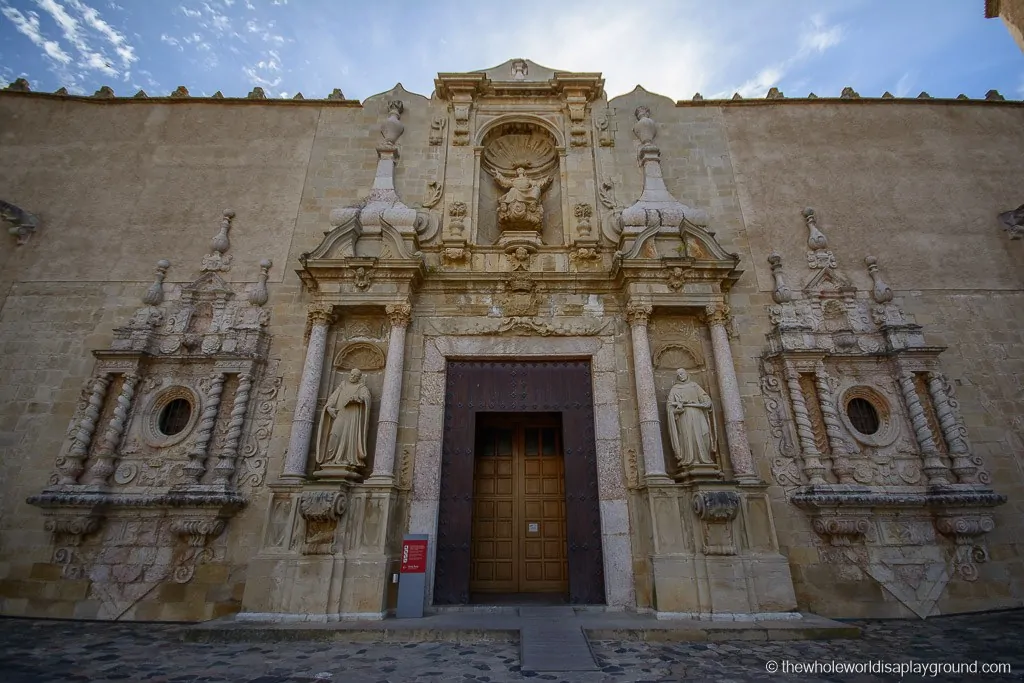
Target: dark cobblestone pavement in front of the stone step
[70, 652]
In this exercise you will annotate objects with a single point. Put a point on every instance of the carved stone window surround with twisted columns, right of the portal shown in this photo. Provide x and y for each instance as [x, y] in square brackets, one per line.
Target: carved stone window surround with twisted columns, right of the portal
[872, 444]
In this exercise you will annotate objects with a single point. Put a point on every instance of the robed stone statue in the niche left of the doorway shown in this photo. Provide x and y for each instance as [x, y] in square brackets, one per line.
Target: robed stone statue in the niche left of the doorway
[345, 453]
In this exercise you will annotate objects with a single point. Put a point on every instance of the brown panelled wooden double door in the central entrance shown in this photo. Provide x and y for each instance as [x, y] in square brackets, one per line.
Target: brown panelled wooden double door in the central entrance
[519, 528]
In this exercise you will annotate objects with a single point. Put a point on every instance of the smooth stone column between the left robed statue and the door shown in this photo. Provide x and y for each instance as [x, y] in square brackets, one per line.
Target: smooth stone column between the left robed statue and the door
[388, 425]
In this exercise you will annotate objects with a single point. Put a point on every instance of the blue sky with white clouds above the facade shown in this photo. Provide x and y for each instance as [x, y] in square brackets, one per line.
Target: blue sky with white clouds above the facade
[672, 48]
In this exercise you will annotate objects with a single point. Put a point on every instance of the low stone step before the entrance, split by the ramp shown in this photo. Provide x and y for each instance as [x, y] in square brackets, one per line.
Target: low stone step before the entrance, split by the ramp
[466, 628]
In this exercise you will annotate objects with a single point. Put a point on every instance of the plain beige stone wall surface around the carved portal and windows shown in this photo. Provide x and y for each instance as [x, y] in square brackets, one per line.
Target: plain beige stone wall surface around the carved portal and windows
[120, 185]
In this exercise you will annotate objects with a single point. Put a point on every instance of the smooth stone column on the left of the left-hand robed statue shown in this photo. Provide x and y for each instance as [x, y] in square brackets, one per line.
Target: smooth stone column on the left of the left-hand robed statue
[306, 403]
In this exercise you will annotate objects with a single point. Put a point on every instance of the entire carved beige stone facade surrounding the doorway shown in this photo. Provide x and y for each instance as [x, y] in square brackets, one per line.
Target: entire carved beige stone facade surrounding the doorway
[864, 357]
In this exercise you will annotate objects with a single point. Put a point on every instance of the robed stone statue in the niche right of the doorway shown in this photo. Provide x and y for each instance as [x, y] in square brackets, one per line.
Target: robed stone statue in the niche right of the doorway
[692, 423]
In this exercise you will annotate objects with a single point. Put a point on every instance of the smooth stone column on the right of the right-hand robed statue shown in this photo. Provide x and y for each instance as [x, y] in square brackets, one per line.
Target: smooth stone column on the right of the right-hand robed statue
[717, 317]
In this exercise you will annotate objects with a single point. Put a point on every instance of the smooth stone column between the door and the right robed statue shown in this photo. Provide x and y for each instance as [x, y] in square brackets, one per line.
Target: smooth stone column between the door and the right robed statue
[651, 428]
